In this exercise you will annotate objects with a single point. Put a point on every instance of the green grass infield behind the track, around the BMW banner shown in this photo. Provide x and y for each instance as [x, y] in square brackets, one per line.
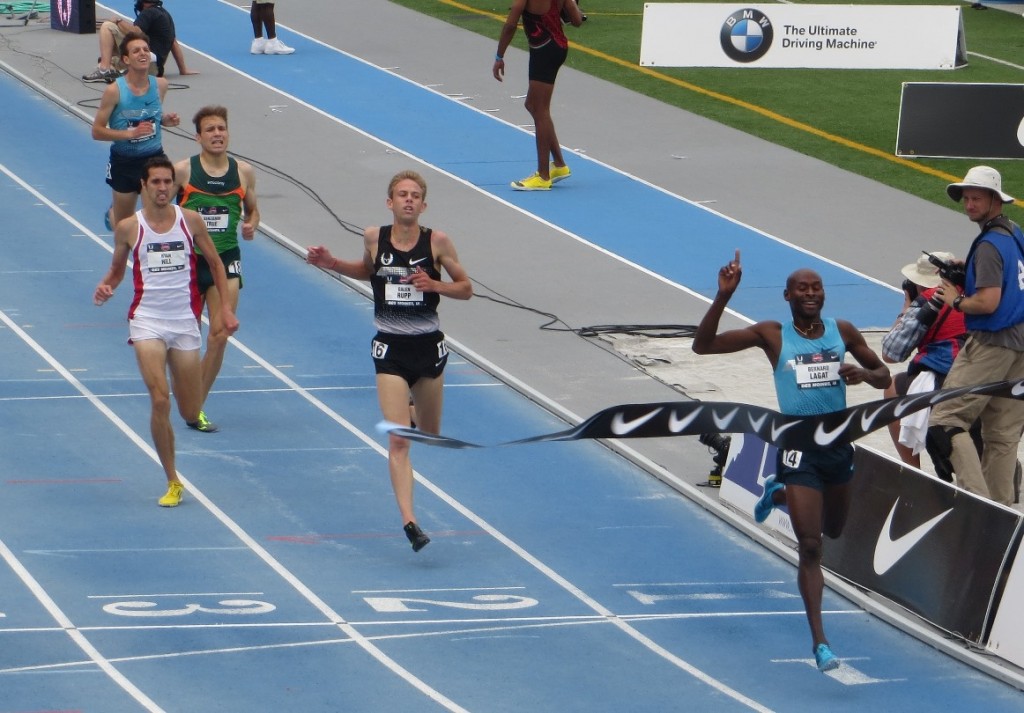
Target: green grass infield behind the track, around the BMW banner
[848, 106]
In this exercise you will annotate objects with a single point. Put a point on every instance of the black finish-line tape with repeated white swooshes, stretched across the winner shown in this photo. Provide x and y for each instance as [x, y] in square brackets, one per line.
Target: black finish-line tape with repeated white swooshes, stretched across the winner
[694, 418]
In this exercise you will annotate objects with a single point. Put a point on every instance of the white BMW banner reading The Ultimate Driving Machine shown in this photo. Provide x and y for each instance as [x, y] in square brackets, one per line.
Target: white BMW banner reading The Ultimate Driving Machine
[921, 37]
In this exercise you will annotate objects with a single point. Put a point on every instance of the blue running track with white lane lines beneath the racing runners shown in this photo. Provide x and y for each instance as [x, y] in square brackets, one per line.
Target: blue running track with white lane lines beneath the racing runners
[561, 578]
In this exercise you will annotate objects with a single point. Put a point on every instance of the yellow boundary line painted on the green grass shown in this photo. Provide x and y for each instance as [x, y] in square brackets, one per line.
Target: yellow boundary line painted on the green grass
[769, 114]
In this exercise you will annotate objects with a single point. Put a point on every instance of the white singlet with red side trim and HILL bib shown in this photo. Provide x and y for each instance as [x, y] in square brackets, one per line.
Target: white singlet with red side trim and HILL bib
[164, 272]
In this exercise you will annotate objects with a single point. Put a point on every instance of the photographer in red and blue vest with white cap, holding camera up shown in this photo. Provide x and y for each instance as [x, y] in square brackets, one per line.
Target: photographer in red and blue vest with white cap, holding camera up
[936, 333]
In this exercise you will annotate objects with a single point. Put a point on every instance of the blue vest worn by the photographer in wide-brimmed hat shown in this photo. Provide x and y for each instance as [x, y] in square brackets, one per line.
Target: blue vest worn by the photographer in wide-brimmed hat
[1006, 237]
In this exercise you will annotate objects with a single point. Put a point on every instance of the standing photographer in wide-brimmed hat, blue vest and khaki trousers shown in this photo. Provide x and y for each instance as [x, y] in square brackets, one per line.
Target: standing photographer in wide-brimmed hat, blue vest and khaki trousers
[993, 303]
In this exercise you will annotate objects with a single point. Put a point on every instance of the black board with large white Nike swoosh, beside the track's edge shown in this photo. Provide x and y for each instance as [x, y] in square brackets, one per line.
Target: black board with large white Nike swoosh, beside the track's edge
[927, 547]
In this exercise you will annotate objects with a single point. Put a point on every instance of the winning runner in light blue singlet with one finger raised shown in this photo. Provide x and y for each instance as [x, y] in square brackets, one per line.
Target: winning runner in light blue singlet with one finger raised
[812, 378]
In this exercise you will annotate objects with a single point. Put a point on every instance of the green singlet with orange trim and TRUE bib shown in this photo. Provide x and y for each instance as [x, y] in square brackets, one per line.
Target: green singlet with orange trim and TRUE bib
[219, 200]
